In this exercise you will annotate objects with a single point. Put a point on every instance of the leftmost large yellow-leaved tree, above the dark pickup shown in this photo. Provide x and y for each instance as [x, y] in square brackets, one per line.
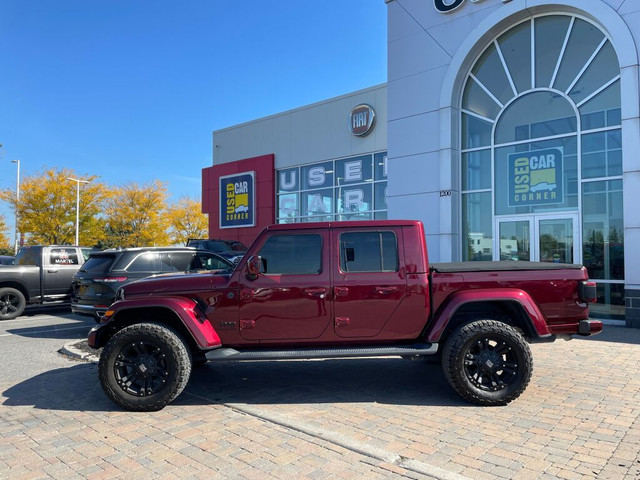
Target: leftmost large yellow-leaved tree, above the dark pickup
[47, 208]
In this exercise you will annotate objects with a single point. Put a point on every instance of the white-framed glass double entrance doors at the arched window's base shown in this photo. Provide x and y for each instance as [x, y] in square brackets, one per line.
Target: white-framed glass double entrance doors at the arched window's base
[539, 238]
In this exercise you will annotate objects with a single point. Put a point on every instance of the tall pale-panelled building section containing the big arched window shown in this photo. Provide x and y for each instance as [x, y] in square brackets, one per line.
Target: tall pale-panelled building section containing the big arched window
[513, 133]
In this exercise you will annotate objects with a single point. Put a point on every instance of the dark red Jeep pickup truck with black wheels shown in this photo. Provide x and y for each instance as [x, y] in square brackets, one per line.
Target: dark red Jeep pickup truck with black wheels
[341, 289]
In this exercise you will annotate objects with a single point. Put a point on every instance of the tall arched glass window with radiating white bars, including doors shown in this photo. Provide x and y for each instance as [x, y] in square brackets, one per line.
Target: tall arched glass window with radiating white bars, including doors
[541, 154]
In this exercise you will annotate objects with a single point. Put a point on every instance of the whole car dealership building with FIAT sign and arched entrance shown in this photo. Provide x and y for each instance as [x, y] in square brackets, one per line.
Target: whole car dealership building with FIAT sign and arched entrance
[510, 128]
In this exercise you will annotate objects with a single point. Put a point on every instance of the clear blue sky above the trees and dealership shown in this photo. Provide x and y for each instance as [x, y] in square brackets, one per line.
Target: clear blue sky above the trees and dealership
[132, 90]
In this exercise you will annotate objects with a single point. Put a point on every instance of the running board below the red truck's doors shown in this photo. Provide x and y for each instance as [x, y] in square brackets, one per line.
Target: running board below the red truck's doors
[302, 353]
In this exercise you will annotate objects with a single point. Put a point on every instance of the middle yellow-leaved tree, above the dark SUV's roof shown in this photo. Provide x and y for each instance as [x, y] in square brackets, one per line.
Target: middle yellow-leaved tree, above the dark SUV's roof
[136, 216]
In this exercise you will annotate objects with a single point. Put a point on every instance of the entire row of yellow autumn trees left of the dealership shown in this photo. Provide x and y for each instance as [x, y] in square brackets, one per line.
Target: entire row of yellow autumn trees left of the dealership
[129, 216]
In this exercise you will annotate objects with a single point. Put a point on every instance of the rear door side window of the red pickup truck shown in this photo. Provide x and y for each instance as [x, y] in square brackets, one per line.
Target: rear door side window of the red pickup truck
[368, 252]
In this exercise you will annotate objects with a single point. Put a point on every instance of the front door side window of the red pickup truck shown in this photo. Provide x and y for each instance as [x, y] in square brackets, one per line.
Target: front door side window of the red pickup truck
[292, 254]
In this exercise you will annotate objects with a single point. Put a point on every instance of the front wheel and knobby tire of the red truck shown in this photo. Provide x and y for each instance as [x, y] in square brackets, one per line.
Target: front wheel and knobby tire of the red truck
[144, 366]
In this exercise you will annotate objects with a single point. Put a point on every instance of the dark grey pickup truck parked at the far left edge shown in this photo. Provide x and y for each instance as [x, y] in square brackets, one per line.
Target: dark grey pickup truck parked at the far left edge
[39, 275]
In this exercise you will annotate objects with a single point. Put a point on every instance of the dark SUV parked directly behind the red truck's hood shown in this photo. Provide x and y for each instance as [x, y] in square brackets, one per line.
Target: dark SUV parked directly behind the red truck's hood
[94, 286]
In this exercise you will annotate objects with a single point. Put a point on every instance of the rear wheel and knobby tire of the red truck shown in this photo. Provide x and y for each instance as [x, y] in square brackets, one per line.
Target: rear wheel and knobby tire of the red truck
[487, 362]
